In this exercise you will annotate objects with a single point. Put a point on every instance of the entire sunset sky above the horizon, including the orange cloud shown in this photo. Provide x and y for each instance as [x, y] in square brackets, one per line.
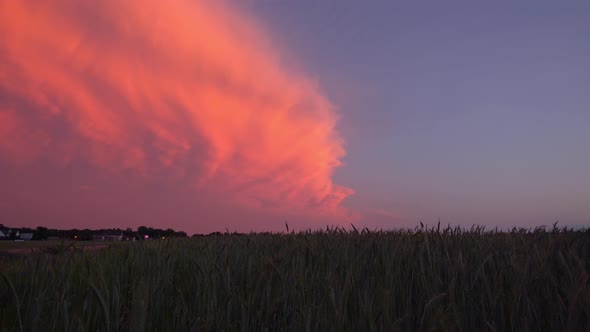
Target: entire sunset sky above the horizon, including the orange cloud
[209, 116]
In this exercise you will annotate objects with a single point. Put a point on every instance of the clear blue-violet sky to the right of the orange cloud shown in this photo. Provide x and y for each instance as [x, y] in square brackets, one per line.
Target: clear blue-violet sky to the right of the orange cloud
[474, 112]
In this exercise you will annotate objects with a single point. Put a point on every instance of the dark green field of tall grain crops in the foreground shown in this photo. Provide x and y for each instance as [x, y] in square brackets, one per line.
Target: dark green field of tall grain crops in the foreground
[418, 280]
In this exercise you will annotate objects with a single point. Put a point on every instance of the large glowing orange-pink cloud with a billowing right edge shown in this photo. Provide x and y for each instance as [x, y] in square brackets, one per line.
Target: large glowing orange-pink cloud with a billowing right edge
[190, 87]
